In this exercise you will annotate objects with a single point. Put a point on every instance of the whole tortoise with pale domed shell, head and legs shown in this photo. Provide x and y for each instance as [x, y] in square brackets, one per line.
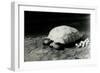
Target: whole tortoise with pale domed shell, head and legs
[64, 36]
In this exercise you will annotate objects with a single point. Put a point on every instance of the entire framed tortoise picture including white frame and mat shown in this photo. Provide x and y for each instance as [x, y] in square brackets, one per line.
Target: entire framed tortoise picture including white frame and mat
[50, 36]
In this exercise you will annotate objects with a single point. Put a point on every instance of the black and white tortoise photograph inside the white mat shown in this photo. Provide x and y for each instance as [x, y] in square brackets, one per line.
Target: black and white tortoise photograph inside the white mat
[52, 36]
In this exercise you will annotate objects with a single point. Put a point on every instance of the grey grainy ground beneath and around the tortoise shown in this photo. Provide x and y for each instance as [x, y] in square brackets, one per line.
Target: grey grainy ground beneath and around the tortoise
[35, 51]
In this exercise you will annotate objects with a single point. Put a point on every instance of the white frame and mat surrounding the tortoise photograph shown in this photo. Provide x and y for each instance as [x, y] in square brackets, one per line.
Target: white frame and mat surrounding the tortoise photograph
[17, 37]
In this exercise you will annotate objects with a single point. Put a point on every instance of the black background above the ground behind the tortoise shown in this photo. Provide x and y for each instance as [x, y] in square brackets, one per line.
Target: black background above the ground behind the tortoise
[40, 23]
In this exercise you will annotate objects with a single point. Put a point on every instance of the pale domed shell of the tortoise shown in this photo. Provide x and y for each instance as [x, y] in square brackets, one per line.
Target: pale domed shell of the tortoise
[64, 34]
